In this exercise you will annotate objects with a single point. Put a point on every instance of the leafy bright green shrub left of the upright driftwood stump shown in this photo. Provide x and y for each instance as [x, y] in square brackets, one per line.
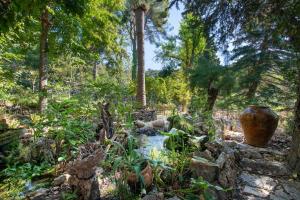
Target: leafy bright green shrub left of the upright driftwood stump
[68, 123]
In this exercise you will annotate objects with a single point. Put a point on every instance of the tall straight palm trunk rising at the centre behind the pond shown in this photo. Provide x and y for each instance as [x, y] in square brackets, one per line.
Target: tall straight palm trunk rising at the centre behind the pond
[140, 21]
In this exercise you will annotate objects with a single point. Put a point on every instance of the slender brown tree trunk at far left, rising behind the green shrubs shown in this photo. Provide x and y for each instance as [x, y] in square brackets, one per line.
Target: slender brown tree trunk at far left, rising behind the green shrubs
[43, 76]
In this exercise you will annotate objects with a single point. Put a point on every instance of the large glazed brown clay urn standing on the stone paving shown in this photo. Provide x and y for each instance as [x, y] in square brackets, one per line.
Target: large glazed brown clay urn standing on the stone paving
[259, 124]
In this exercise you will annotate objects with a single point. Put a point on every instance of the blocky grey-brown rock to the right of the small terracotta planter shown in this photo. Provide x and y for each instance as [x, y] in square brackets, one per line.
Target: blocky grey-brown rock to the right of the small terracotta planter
[202, 167]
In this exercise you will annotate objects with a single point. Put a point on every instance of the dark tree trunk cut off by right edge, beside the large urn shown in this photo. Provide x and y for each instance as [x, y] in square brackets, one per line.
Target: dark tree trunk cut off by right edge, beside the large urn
[294, 158]
